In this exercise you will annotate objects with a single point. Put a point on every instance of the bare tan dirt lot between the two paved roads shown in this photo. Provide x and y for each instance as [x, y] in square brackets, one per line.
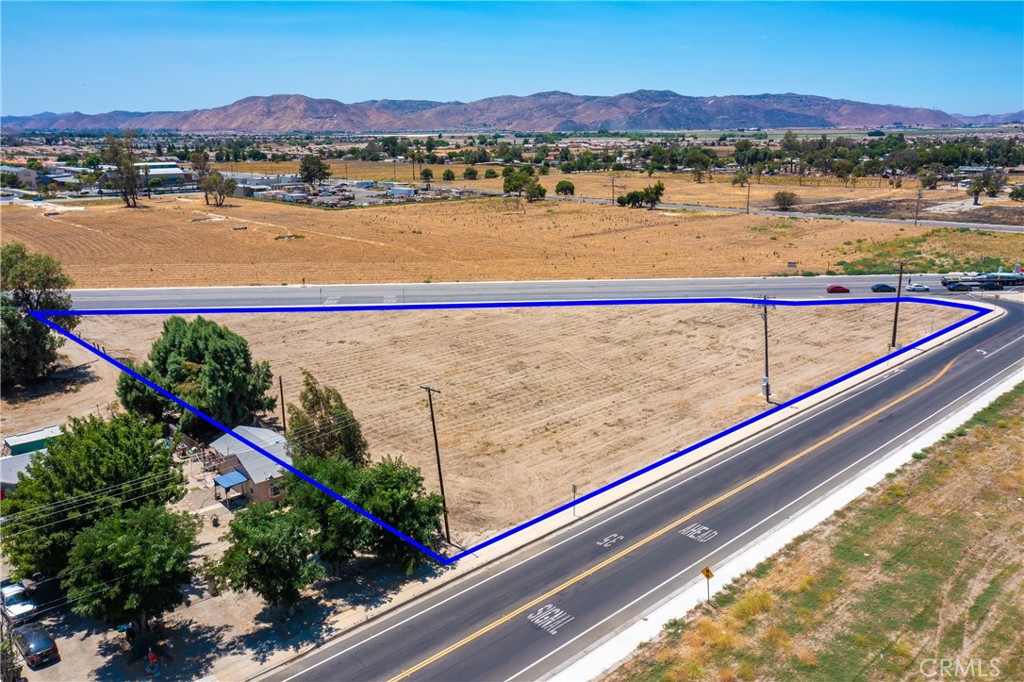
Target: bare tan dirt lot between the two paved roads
[534, 402]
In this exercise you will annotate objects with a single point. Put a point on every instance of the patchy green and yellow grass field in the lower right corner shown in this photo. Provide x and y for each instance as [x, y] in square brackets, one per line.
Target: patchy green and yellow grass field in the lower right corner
[924, 568]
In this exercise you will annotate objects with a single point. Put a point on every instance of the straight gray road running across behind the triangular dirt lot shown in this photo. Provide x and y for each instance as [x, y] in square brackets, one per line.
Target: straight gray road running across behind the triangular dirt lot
[316, 295]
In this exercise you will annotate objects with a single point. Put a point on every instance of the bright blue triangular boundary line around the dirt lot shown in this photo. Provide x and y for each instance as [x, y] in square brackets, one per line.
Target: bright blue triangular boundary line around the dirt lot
[44, 316]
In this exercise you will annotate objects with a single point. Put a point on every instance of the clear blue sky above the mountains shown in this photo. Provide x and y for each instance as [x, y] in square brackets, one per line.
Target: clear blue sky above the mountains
[62, 57]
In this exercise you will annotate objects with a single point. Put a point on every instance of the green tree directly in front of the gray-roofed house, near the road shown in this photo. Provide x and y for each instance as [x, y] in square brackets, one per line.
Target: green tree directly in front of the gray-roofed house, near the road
[272, 553]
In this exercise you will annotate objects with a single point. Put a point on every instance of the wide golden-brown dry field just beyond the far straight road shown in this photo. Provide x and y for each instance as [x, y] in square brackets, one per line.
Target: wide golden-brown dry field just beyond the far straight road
[180, 241]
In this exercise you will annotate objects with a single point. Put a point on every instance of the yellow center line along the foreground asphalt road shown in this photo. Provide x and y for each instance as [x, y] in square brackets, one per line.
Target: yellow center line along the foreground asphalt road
[658, 534]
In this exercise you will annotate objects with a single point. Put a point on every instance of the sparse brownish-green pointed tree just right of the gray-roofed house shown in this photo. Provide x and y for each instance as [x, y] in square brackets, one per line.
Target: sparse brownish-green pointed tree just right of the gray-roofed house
[323, 427]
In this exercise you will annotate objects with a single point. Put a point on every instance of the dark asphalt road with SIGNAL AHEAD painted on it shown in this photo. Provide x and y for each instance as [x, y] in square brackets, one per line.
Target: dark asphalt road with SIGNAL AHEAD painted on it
[529, 615]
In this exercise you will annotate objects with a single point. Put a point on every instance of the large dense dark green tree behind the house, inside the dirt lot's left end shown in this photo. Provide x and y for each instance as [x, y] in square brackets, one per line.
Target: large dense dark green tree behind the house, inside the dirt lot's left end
[206, 365]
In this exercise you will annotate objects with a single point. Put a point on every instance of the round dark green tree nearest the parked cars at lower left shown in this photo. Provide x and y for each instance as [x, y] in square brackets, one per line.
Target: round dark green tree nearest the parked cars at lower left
[131, 566]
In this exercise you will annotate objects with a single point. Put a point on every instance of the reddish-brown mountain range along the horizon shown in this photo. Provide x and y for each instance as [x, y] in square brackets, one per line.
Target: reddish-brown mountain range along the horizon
[644, 110]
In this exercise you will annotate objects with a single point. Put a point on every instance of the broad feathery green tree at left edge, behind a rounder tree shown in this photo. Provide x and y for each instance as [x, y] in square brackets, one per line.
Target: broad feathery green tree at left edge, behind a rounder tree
[90, 472]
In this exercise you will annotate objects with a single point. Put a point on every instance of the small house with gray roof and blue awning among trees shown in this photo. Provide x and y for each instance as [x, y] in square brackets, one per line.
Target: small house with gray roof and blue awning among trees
[248, 471]
